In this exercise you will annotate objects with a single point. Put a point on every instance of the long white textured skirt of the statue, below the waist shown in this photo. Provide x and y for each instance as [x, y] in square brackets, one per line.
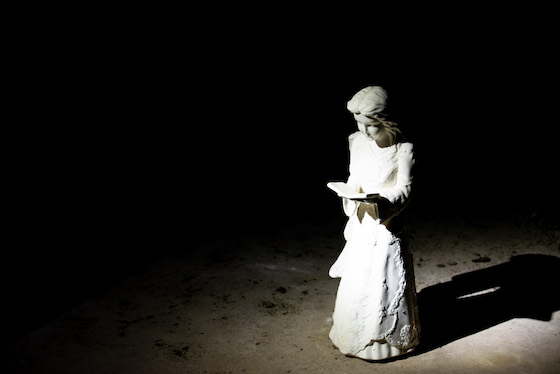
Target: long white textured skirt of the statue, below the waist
[376, 312]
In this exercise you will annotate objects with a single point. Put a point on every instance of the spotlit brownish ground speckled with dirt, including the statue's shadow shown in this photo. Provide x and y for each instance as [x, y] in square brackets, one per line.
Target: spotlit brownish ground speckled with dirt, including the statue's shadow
[260, 301]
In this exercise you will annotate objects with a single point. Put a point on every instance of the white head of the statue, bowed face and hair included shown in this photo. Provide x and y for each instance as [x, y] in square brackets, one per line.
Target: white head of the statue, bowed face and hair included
[367, 106]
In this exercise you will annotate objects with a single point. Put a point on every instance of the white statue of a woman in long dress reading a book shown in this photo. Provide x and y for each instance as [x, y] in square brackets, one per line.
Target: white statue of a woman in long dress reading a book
[376, 313]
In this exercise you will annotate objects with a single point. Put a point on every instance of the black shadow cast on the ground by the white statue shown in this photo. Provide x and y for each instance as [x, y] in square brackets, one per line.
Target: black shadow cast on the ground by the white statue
[524, 287]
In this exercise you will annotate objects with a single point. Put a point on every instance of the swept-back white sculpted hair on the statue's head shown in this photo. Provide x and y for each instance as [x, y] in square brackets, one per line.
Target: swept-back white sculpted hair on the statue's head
[371, 102]
